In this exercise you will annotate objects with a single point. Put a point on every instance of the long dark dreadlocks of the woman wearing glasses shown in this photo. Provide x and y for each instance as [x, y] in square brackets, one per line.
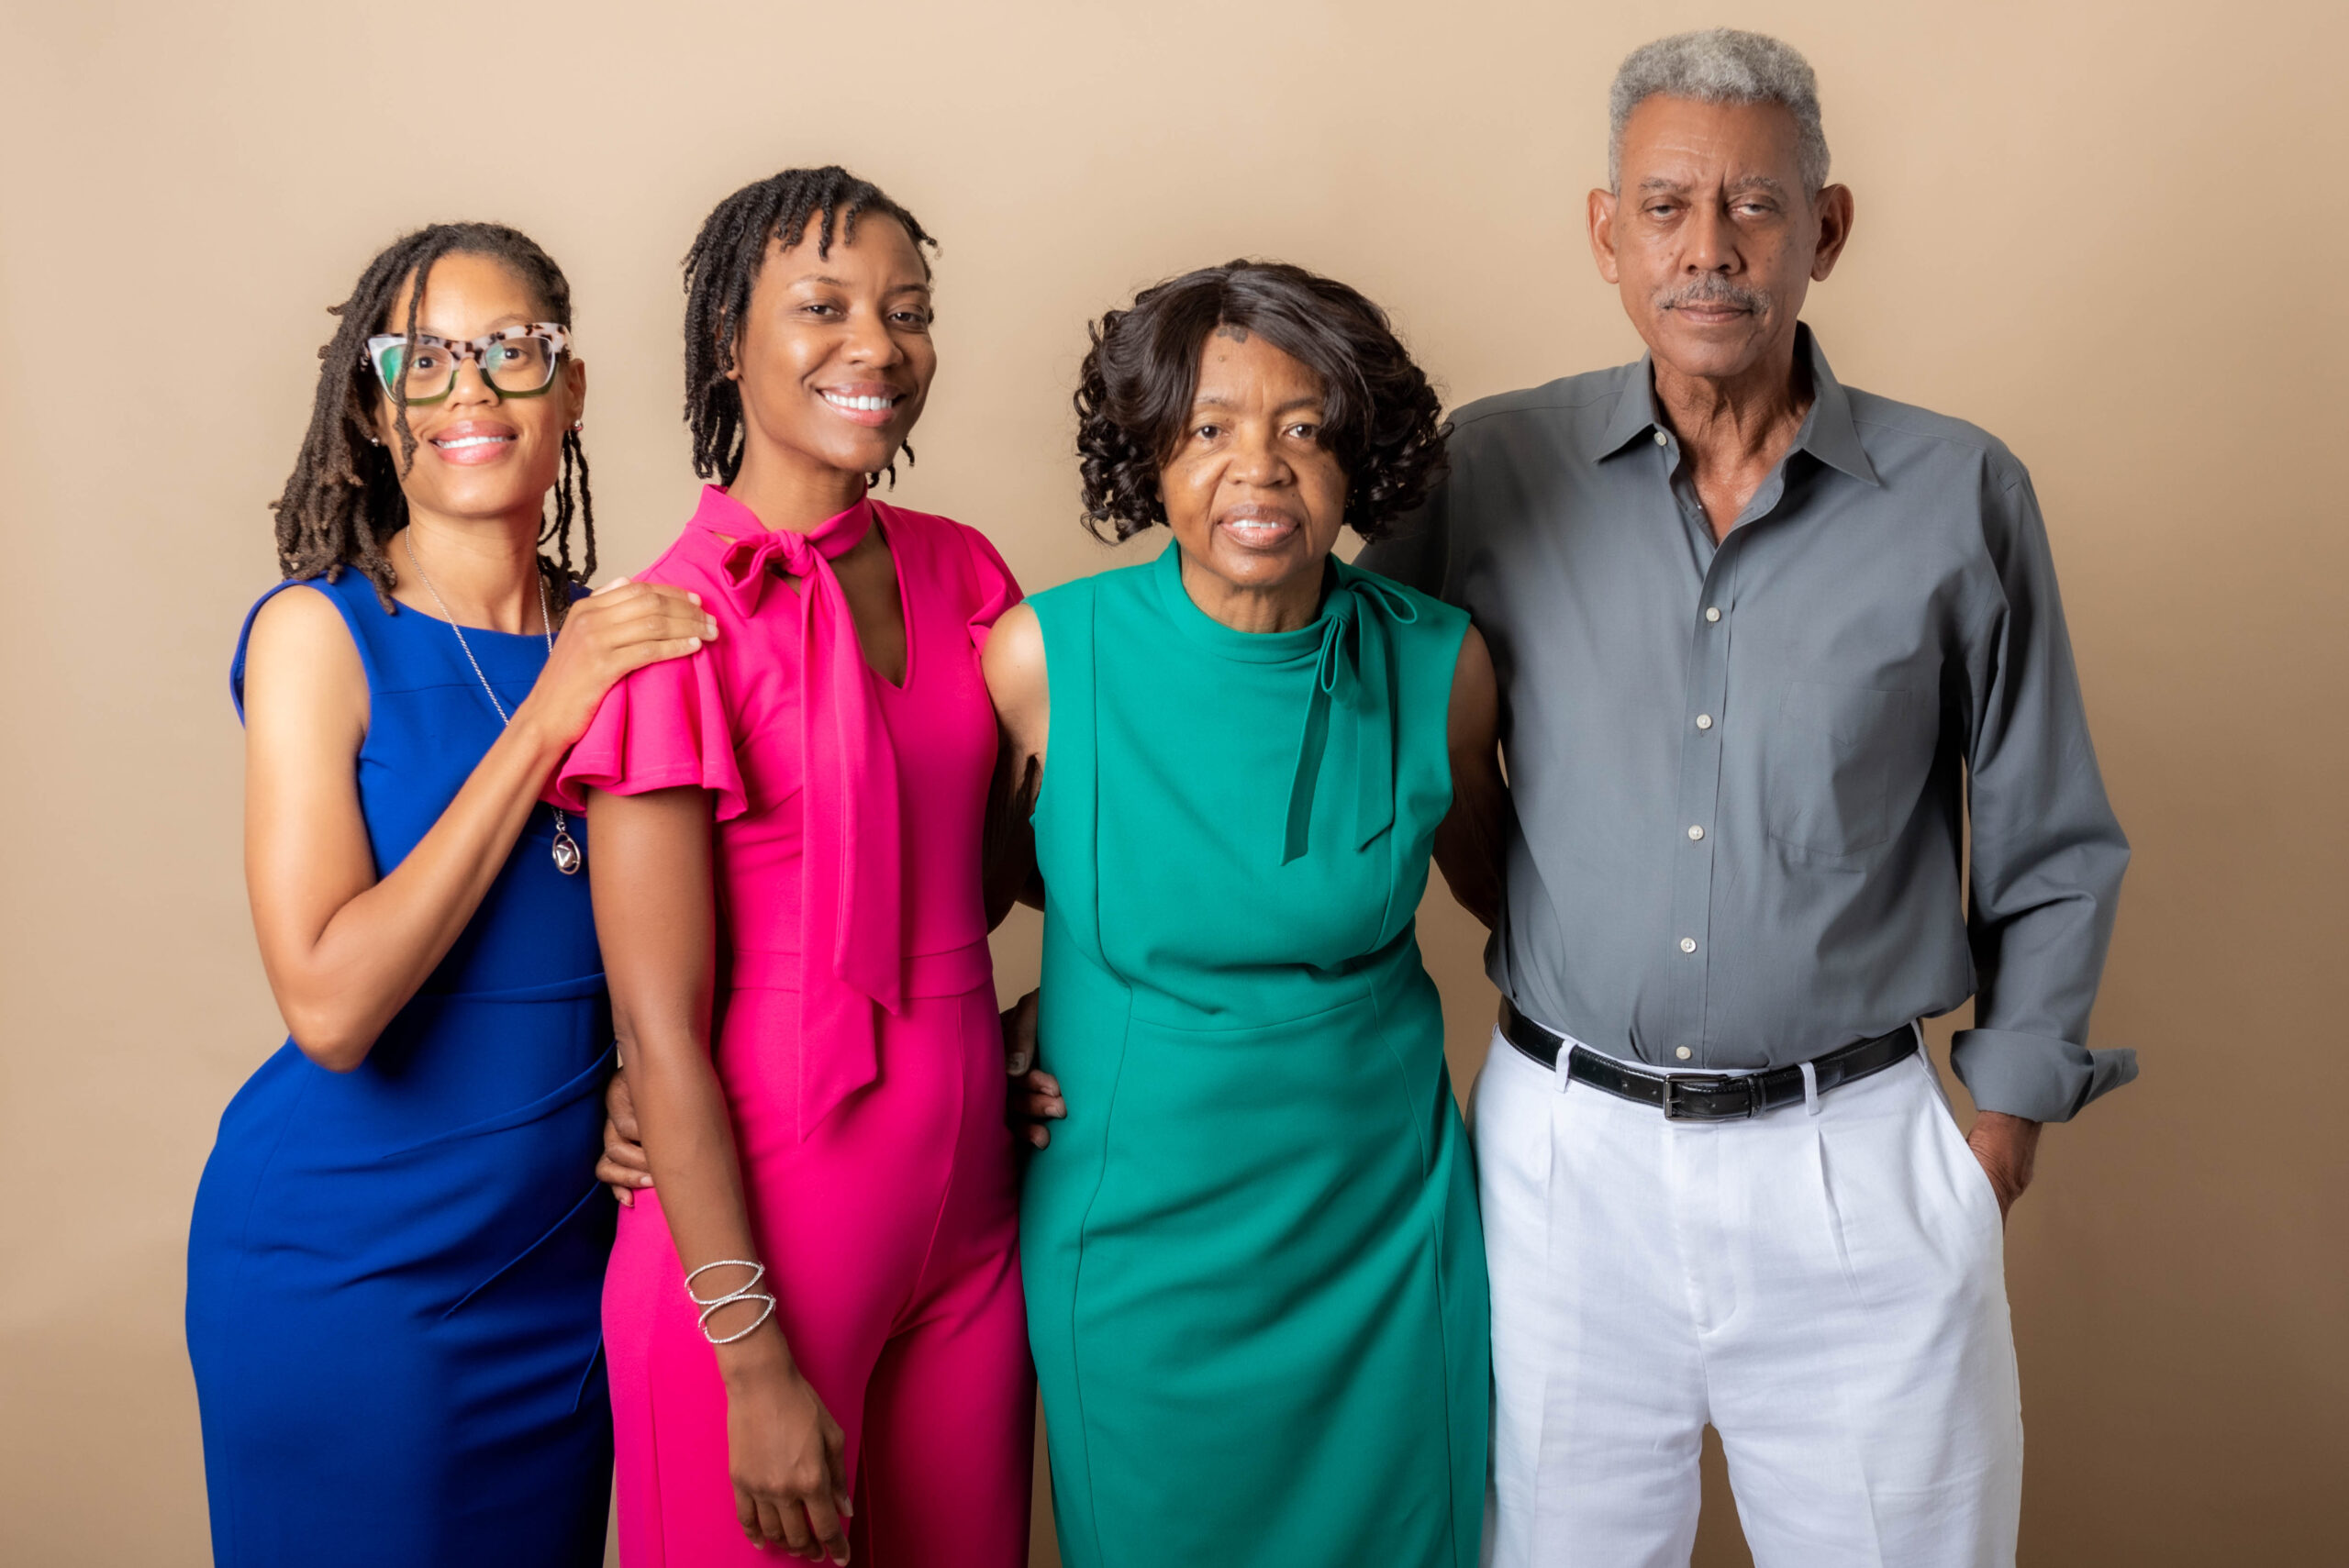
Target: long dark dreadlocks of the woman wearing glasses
[344, 501]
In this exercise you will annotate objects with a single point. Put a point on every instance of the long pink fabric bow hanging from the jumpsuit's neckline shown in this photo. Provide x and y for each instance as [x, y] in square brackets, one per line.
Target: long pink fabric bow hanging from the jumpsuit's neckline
[852, 919]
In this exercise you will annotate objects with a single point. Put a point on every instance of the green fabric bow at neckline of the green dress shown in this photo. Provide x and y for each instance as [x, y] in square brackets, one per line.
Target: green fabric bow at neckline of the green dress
[1354, 644]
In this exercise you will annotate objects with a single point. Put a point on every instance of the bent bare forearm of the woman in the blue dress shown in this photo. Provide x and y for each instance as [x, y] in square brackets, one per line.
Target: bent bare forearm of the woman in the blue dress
[379, 947]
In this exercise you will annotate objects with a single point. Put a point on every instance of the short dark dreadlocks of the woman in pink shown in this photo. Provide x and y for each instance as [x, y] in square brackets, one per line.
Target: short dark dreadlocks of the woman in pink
[722, 269]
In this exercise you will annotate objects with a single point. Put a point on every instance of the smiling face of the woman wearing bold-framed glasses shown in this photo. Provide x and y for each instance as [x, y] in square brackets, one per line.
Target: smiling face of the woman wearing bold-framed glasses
[480, 457]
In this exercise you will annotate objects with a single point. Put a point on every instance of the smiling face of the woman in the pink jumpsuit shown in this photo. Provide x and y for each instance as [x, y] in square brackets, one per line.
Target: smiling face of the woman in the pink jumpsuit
[835, 358]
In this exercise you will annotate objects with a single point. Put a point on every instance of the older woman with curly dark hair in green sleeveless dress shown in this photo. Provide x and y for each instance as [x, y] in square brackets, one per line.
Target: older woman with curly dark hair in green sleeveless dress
[1253, 1262]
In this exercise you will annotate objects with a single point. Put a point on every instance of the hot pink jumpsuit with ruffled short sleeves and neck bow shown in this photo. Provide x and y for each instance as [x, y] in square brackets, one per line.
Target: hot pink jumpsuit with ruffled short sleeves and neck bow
[856, 1041]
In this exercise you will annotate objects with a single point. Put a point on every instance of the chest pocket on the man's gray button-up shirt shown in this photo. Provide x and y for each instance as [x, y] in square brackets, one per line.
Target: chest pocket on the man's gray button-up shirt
[1840, 764]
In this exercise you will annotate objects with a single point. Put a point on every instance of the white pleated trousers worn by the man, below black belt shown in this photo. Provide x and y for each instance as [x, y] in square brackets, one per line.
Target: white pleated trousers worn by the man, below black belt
[1826, 1290]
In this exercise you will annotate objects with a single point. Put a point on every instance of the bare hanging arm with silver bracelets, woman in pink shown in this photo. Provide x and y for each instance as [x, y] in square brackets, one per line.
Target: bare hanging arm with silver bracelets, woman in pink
[657, 924]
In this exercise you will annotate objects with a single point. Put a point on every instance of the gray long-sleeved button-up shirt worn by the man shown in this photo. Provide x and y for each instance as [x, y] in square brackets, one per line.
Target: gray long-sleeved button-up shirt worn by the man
[1742, 773]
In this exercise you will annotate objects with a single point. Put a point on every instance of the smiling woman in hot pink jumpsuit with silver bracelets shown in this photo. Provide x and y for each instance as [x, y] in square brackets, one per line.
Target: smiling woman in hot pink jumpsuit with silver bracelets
[788, 888]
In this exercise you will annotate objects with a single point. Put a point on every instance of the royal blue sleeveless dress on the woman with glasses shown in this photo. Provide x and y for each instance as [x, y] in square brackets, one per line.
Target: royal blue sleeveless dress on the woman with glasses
[396, 1273]
